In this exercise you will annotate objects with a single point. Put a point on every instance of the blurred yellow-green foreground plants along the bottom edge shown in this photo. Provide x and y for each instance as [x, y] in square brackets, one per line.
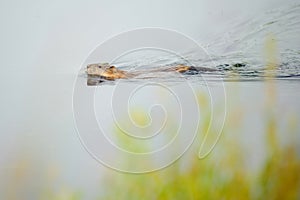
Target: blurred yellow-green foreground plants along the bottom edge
[226, 173]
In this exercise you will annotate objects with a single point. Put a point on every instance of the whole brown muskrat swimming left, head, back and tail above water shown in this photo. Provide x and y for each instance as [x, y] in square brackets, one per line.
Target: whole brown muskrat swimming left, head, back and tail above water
[109, 72]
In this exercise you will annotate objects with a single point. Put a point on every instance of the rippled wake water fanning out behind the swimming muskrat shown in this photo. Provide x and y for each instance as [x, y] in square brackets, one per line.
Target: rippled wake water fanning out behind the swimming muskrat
[240, 56]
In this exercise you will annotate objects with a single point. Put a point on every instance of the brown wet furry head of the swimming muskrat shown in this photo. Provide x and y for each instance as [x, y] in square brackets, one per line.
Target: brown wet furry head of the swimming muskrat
[104, 70]
